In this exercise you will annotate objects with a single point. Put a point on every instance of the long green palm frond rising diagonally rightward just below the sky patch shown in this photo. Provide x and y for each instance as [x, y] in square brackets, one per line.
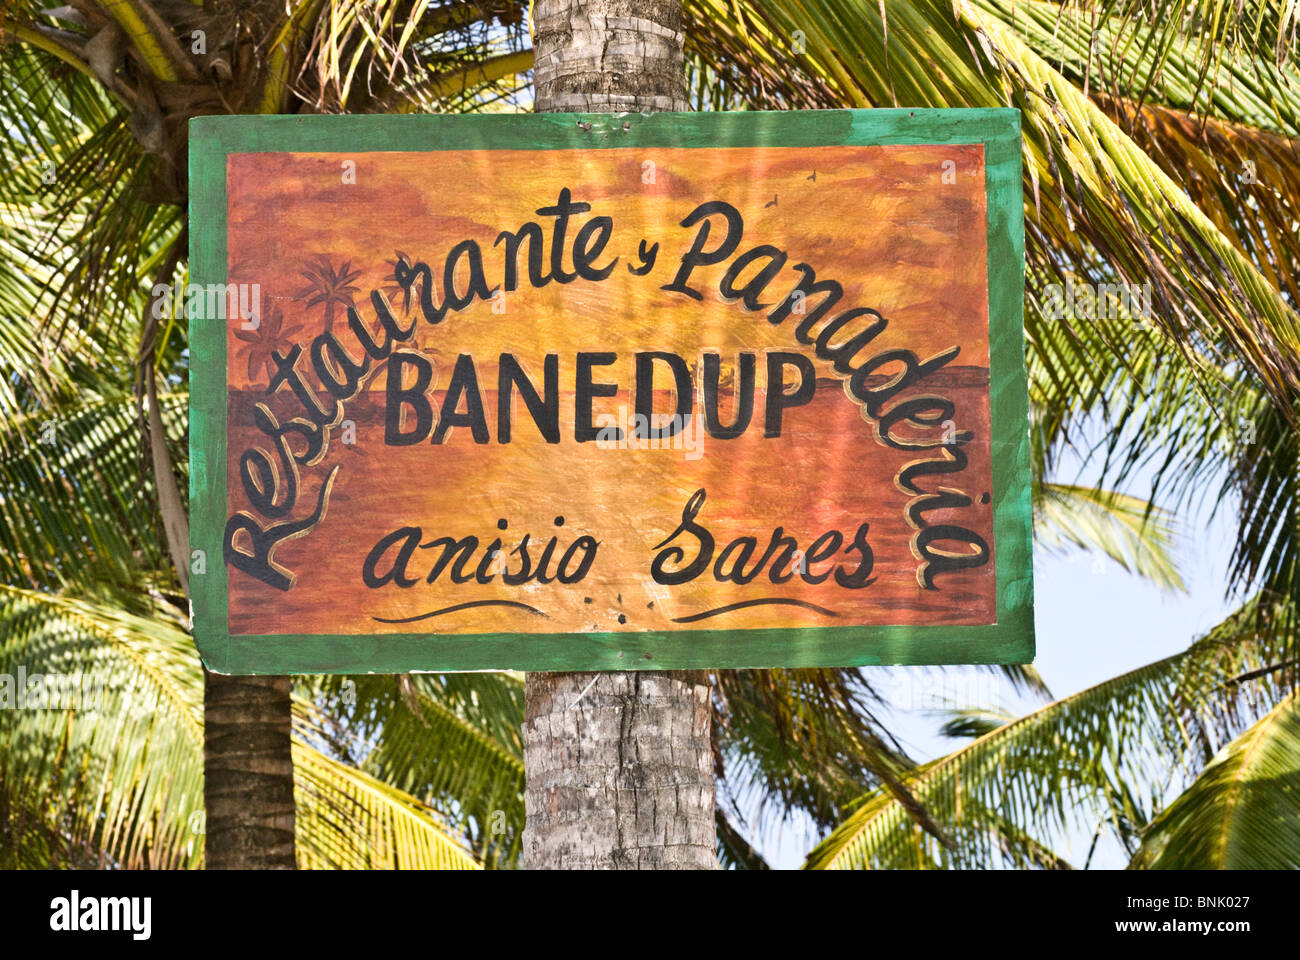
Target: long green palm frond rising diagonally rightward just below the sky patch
[1082, 759]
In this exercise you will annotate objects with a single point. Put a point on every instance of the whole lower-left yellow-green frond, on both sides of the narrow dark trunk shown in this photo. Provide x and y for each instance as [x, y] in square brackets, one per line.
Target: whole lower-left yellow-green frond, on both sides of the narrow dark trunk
[115, 779]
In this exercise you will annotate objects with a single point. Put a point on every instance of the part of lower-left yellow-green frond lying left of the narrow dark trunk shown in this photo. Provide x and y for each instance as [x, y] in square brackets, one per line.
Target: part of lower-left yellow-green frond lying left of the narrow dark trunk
[122, 773]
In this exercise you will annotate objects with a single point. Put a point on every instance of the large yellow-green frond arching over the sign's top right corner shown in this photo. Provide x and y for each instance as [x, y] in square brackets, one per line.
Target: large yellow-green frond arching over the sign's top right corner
[1093, 194]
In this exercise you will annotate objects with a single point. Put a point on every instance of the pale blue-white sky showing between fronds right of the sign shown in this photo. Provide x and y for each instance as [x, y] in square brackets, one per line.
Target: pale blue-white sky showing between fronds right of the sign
[1094, 621]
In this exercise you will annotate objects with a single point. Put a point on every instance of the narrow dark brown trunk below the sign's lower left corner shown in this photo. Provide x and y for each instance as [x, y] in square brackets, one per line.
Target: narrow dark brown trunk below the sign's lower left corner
[248, 773]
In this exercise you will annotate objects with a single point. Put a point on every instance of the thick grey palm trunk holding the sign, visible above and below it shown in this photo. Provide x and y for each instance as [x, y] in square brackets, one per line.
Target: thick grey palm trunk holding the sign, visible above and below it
[619, 776]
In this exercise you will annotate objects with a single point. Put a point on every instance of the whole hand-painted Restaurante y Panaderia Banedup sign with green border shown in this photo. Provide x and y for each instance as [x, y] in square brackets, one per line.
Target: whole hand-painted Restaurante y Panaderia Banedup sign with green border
[609, 393]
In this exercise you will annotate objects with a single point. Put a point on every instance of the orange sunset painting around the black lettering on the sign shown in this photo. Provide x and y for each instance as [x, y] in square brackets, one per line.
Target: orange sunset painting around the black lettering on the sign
[886, 223]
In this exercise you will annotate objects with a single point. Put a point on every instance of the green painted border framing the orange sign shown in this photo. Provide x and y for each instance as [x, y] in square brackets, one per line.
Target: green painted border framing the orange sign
[1011, 641]
